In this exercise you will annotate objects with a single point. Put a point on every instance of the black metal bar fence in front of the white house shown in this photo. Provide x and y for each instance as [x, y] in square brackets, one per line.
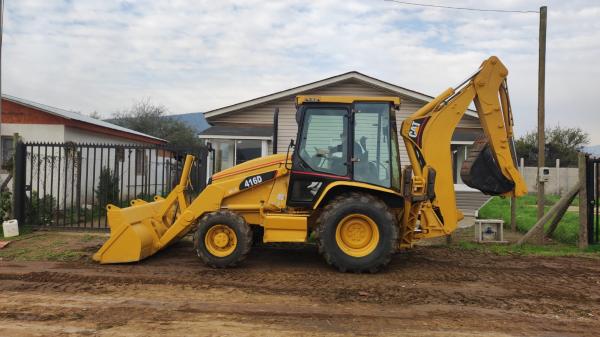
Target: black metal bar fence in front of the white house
[67, 185]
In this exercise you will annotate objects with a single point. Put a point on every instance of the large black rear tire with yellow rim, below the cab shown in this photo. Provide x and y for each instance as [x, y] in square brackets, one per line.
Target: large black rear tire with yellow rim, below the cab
[357, 232]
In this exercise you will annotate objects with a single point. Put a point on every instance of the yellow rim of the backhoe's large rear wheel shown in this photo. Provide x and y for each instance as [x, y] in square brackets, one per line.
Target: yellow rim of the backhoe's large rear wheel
[357, 235]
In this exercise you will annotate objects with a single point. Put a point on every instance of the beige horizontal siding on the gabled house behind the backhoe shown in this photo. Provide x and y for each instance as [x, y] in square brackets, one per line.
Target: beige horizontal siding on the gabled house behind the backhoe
[263, 114]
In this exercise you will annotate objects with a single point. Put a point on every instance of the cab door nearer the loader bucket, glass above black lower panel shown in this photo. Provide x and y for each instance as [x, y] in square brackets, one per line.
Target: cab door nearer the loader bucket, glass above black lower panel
[322, 153]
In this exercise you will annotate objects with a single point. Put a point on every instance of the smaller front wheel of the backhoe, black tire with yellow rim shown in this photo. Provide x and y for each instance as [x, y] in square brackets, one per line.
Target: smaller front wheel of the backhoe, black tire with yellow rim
[223, 239]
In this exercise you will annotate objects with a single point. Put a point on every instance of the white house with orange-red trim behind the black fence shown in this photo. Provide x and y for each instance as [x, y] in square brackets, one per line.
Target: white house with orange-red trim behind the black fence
[68, 151]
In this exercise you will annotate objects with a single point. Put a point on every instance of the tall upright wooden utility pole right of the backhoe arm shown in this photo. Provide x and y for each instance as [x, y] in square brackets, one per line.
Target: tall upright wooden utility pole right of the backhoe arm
[539, 237]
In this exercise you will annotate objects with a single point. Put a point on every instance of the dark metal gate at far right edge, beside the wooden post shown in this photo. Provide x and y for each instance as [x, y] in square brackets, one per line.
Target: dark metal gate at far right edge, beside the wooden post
[593, 189]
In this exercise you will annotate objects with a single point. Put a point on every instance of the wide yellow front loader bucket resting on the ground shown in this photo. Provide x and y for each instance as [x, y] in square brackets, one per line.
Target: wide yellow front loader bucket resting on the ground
[144, 228]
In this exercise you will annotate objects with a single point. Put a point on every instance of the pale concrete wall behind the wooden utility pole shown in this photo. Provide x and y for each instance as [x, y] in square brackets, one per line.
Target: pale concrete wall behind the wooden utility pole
[560, 182]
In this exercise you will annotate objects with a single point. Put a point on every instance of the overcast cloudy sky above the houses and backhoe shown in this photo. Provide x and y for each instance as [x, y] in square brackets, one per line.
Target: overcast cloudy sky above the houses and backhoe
[90, 55]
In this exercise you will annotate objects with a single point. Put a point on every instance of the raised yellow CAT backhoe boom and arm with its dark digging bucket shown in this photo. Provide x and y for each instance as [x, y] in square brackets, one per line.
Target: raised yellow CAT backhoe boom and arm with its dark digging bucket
[428, 133]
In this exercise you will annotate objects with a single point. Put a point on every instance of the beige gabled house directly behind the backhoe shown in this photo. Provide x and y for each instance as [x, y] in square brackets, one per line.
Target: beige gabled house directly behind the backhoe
[244, 130]
